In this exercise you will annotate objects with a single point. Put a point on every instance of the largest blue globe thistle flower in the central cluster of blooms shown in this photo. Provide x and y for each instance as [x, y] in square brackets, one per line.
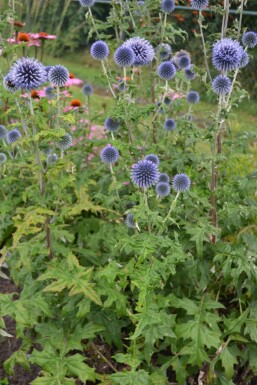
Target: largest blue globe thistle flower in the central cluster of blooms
[144, 174]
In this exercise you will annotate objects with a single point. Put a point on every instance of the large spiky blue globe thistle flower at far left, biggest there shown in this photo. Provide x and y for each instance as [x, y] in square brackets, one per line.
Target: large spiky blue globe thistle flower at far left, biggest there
[28, 74]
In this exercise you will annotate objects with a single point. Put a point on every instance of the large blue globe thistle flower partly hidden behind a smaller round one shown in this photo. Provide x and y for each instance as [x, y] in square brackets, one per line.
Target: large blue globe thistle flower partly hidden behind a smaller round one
[143, 50]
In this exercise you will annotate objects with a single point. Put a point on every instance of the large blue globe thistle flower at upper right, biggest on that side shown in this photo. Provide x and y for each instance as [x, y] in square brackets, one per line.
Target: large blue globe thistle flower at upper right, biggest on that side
[226, 54]
